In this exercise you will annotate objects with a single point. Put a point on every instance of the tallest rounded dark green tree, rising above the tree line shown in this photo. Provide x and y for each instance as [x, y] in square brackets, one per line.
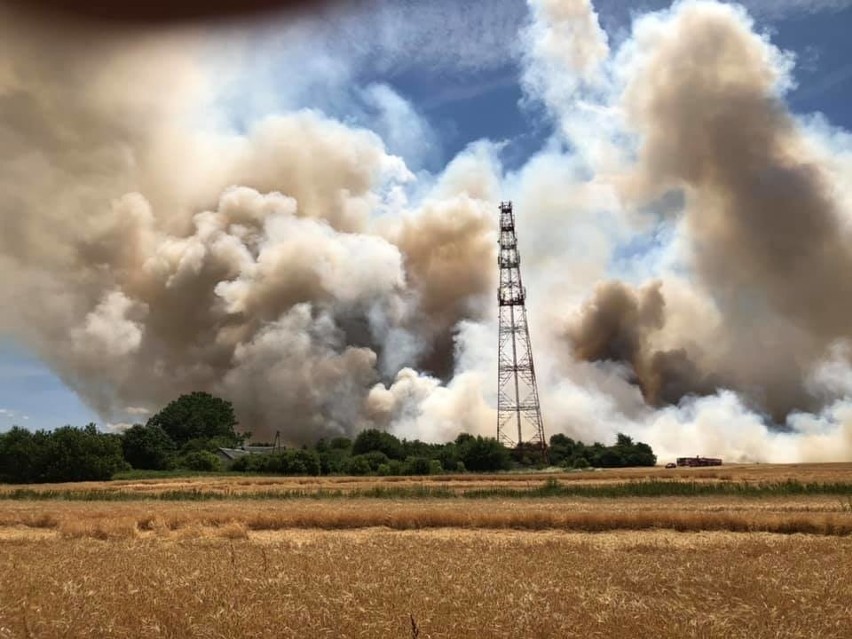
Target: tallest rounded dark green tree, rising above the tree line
[198, 416]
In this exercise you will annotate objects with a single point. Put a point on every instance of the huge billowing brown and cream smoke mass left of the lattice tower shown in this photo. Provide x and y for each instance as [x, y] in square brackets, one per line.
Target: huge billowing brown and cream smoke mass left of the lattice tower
[143, 258]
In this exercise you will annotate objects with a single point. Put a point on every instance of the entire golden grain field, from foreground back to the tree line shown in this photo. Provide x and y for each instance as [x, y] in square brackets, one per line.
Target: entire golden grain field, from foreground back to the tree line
[702, 566]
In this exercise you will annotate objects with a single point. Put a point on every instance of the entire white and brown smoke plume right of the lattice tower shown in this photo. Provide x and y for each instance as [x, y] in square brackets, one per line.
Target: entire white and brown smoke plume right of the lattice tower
[687, 127]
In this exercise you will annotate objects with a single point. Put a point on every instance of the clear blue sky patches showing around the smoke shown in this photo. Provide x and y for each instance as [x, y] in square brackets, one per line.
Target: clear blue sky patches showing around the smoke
[465, 93]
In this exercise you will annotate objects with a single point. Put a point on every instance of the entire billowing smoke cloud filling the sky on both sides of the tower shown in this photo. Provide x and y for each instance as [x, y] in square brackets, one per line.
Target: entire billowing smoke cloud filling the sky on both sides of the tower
[684, 240]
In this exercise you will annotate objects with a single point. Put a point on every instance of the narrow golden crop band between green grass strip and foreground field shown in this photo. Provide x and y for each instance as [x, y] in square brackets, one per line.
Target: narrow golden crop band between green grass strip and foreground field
[108, 520]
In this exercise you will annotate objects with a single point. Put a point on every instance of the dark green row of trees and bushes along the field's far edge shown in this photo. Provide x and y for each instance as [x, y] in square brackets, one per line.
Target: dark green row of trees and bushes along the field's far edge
[187, 434]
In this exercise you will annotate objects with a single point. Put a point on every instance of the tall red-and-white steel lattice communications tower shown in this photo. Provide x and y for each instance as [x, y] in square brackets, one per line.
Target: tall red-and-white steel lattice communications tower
[517, 393]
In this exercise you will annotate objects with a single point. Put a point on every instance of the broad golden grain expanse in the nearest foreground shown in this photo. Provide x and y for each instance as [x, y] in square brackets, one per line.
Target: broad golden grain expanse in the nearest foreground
[369, 583]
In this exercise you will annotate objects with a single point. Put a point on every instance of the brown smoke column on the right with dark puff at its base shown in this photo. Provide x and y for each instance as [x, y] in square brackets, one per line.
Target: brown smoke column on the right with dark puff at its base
[764, 230]
